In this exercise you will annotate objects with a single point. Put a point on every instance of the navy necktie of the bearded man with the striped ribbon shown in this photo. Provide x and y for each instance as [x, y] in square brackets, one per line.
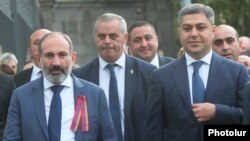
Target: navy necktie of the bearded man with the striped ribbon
[55, 114]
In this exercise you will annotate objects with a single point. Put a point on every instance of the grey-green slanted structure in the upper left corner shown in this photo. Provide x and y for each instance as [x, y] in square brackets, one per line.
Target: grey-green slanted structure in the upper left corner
[18, 18]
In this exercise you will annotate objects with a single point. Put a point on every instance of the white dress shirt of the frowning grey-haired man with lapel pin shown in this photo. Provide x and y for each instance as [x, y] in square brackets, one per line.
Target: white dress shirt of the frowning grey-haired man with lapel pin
[104, 77]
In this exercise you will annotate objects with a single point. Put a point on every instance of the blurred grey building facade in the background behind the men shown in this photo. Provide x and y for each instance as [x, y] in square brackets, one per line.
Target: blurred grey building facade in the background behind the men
[18, 18]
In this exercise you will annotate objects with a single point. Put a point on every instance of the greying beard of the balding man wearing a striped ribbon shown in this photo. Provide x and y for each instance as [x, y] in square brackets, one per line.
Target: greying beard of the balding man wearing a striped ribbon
[56, 78]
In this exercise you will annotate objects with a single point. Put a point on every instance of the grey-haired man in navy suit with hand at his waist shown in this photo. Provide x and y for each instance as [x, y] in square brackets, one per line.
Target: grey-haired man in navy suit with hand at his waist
[201, 87]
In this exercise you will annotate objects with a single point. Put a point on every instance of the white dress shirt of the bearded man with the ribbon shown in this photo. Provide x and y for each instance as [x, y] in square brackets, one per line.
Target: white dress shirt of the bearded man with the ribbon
[68, 106]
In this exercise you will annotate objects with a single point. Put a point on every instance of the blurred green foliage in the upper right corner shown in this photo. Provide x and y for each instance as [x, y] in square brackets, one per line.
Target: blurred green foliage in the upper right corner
[232, 12]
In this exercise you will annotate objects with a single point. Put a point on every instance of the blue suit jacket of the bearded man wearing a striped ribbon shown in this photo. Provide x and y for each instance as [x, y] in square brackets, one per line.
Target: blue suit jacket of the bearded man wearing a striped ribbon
[27, 119]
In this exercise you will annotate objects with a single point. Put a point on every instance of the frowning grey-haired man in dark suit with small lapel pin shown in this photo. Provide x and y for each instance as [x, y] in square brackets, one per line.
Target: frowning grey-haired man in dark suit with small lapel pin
[131, 73]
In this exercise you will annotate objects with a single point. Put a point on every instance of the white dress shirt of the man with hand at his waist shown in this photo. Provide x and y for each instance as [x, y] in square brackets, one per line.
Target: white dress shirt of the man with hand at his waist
[203, 71]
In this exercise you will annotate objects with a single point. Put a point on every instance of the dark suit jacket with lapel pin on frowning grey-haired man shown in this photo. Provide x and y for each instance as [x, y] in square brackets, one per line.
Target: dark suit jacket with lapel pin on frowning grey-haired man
[136, 84]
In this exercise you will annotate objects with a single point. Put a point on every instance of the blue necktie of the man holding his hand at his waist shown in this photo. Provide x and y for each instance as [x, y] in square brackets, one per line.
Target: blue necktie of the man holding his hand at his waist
[198, 85]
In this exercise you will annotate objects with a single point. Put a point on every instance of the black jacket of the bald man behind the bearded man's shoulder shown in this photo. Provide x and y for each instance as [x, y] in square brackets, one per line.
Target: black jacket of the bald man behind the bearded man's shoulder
[23, 77]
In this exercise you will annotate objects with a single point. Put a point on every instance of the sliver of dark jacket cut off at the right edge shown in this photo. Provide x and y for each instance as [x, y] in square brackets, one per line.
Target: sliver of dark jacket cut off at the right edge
[246, 106]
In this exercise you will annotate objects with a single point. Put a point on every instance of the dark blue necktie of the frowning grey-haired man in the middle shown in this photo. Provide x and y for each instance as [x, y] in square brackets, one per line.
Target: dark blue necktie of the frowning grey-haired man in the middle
[114, 105]
